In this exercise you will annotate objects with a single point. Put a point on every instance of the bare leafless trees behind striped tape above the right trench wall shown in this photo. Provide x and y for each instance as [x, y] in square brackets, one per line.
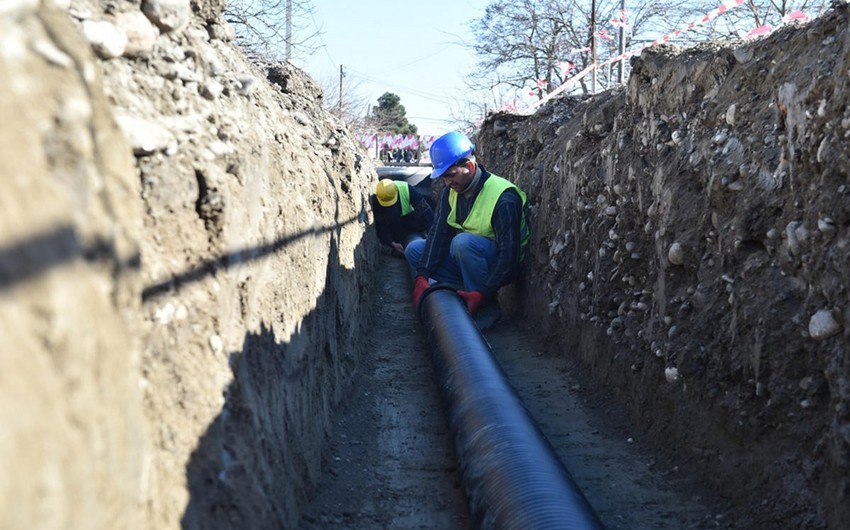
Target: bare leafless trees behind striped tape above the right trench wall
[535, 45]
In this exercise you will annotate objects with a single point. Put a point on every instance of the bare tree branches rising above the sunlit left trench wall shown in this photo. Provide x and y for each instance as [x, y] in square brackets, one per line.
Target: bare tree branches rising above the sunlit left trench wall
[284, 29]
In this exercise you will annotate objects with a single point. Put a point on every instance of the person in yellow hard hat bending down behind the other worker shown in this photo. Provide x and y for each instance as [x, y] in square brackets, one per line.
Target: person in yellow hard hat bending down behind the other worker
[401, 214]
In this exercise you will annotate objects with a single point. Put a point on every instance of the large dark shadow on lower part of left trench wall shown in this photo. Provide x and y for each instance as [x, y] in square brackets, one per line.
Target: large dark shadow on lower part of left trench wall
[262, 454]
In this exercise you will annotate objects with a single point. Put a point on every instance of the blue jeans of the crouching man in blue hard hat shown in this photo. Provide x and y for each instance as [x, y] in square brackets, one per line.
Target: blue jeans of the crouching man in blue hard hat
[467, 265]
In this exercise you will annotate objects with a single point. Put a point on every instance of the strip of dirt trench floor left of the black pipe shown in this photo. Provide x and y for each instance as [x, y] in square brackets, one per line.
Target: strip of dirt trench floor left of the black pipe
[390, 463]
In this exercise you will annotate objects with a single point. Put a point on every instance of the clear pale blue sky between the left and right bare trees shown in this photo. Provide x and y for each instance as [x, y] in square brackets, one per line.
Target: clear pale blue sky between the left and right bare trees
[413, 50]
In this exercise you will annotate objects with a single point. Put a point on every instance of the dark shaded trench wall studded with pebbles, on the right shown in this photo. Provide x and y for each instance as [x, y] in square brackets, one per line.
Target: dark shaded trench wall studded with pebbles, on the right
[691, 232]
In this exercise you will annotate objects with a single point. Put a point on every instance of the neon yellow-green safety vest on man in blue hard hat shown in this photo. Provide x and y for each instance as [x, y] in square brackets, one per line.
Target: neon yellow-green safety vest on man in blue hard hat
[478, 221]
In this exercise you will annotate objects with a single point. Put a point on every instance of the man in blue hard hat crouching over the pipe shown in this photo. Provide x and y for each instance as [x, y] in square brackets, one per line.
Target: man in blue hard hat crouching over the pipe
[480, 233]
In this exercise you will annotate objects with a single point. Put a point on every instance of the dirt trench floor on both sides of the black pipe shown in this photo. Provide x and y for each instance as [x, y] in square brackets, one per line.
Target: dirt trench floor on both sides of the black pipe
[391, 463]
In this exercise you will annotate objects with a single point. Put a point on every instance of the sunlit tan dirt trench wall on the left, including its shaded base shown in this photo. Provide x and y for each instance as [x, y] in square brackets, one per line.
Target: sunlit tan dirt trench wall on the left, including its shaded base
[184, 264]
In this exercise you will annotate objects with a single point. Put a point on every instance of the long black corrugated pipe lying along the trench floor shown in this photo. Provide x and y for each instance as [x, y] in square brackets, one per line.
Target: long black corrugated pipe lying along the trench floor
[510, 473]
